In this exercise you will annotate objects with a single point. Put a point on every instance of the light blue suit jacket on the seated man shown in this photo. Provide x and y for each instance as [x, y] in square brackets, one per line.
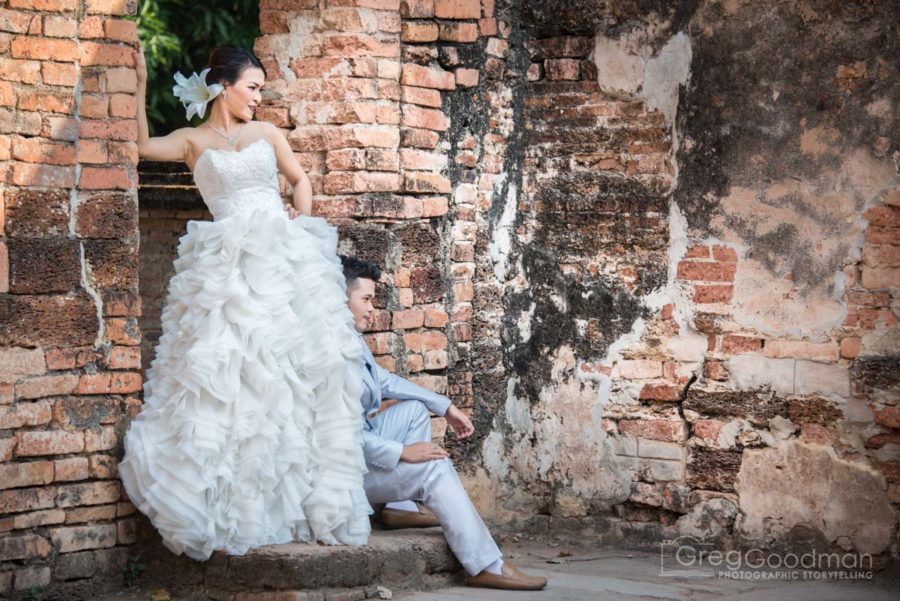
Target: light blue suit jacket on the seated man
[379, 383]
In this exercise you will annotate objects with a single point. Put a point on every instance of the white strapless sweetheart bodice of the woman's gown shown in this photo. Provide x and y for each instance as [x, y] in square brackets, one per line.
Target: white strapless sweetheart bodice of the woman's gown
[233, 181]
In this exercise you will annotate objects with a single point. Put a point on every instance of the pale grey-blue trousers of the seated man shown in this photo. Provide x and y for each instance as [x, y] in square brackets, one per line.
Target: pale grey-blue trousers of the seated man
[435, 483]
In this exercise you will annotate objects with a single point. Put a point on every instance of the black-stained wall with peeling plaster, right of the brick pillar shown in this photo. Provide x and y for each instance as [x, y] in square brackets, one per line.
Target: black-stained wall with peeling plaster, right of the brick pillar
[694, 250]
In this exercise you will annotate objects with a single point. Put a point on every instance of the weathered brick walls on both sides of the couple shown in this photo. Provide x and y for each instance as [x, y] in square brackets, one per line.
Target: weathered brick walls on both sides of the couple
[652, 256]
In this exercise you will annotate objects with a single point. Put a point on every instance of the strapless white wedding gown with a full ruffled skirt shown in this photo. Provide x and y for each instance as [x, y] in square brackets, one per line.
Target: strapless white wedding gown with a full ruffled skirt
[251, 430]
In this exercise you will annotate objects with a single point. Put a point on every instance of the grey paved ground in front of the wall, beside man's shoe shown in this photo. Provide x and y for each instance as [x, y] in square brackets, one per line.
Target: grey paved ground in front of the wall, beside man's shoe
[617, 575]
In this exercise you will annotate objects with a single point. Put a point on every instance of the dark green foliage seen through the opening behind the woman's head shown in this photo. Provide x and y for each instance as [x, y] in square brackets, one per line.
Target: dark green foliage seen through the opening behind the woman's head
[178, 36]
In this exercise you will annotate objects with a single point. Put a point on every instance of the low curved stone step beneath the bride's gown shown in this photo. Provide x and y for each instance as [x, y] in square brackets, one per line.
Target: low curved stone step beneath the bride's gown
[394, 560]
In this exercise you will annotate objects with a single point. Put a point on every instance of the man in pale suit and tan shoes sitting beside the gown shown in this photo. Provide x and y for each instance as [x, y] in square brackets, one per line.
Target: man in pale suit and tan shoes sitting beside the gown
[404, 465]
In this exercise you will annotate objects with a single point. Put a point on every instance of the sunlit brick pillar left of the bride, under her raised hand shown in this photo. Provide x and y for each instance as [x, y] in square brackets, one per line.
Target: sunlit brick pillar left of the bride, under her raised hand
[69, 299]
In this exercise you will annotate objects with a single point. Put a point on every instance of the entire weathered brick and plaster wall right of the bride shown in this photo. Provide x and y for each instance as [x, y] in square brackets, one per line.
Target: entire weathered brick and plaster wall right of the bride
[637, 317]
